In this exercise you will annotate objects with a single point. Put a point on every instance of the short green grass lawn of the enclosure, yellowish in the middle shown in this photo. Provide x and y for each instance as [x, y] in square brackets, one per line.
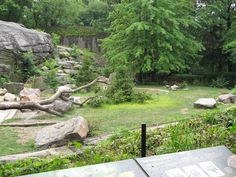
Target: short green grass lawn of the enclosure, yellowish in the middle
[162, 108]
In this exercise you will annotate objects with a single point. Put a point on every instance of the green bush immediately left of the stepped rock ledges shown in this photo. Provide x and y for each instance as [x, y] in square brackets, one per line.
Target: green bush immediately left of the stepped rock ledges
[50, 76]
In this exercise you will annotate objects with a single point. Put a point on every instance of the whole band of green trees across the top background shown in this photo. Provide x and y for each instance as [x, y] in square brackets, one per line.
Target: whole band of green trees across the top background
[151, 37]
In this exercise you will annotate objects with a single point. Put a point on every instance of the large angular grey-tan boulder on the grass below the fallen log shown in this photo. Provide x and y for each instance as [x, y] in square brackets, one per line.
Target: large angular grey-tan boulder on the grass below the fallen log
[61, 133]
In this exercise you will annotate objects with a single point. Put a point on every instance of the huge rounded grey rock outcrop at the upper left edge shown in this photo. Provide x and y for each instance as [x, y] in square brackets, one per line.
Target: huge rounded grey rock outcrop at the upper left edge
[15, 39]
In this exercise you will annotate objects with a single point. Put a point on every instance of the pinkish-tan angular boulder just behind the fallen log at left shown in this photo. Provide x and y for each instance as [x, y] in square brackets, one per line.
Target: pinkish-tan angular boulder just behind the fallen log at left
[30, 94]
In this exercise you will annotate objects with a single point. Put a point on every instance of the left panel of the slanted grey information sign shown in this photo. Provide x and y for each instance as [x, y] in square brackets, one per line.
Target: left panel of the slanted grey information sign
[125, 168]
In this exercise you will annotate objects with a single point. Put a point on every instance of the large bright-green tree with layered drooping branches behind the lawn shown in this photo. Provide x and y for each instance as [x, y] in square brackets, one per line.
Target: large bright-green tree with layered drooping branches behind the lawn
[152, 36]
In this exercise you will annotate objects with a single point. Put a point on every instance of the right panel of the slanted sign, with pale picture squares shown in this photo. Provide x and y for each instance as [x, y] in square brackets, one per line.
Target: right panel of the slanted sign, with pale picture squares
[209, 162]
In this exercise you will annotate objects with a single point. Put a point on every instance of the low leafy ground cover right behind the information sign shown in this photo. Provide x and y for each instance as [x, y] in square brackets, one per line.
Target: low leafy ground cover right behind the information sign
[210, 129]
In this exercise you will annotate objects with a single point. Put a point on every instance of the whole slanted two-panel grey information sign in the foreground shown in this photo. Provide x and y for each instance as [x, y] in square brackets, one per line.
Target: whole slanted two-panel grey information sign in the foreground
[209, 162]
